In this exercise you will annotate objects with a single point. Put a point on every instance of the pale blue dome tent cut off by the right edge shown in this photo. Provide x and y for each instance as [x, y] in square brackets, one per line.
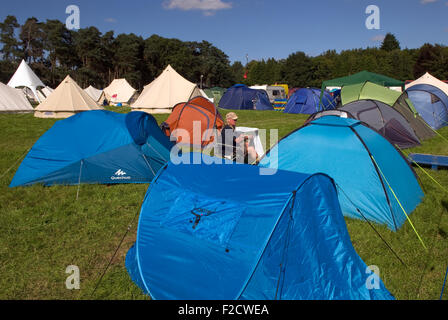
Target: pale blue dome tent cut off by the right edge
[431, 103]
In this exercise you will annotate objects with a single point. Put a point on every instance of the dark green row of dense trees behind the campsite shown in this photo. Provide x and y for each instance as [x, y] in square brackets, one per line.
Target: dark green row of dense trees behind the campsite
[94, 58]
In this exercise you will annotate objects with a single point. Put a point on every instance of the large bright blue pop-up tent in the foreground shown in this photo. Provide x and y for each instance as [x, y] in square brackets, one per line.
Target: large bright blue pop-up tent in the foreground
[254, 237]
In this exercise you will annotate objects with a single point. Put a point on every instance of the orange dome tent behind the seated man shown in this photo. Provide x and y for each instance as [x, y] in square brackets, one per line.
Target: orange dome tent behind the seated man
[195, 122]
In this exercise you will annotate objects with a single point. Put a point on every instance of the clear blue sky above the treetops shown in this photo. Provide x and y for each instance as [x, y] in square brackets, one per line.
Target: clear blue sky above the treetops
[259, 28]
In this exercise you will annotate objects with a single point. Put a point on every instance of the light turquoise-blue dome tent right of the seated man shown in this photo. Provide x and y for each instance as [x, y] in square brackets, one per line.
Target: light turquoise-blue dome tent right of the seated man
[372, 174]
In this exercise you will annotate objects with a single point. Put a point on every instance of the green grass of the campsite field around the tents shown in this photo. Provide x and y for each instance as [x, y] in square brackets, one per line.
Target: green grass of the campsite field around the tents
[43, 230]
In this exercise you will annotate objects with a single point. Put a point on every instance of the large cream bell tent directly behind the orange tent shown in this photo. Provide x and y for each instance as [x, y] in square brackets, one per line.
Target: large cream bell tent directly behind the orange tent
[164, 92]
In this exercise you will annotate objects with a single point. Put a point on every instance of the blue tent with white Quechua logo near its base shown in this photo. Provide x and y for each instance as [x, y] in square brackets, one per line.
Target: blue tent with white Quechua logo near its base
[96, 147]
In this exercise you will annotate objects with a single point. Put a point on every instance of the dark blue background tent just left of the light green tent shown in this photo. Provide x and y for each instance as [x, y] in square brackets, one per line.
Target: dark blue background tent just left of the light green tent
[306, 101]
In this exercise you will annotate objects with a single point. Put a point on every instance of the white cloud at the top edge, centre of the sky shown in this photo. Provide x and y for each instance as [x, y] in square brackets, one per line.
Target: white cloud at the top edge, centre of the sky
[208, 7]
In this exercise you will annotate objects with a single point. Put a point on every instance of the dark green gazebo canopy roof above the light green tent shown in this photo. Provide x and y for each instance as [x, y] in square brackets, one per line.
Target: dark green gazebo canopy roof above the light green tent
[362, 77]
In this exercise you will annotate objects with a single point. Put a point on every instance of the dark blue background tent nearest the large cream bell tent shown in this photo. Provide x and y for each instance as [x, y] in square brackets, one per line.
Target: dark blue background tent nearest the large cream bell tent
[241, 97]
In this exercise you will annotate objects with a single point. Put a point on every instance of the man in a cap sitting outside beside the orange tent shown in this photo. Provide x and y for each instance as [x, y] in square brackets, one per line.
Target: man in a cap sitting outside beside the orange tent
[231, 147]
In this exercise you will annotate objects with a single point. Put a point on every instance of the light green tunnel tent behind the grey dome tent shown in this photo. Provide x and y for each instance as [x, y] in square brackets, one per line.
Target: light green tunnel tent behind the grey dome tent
[398, 101]
